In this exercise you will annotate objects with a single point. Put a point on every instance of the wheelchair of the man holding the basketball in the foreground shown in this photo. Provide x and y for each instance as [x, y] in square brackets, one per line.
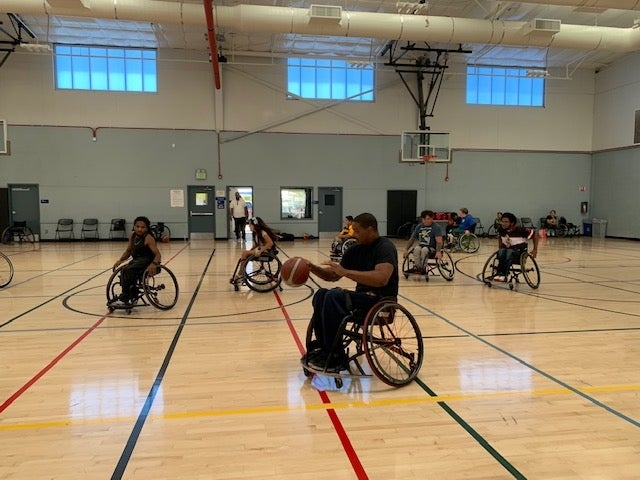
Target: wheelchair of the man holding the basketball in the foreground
[387, 335]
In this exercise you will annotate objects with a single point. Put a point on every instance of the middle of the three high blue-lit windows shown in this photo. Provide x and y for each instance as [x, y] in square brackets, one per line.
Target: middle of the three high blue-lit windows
[330, 80]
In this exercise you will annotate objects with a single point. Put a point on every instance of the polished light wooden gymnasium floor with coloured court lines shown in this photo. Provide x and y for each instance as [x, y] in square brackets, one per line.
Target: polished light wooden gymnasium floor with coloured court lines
[539, 384]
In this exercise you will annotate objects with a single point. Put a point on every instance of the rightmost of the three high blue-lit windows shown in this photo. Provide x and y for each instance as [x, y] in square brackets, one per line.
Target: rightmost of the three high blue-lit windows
[505, 86]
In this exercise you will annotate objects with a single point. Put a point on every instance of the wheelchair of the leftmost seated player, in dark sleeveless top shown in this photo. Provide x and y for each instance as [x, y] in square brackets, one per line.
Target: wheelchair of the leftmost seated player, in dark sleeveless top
[160, 290]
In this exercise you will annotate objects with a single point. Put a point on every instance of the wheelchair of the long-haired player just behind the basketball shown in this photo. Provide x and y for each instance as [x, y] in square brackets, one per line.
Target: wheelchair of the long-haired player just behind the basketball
[261, 273]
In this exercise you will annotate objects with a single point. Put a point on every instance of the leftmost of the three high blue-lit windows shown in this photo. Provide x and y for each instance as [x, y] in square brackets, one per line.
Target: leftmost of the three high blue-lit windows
[80, 67]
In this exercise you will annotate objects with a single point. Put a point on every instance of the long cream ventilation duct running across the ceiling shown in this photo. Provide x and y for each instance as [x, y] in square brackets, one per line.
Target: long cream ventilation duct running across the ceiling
[287, 20]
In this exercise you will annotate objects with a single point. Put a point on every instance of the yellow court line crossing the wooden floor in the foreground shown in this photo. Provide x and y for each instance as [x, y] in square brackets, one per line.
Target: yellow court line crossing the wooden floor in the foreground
[318, 406]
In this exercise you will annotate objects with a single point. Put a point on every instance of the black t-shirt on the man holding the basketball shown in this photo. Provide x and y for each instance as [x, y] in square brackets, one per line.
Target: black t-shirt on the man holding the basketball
[365, 257]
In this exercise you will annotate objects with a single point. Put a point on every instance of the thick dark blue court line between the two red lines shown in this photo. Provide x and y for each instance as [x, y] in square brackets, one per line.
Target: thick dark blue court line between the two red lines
[146, 408]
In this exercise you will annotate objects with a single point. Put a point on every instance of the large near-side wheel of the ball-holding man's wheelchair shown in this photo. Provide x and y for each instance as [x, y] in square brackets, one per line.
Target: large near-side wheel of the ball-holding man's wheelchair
[392, 343]
